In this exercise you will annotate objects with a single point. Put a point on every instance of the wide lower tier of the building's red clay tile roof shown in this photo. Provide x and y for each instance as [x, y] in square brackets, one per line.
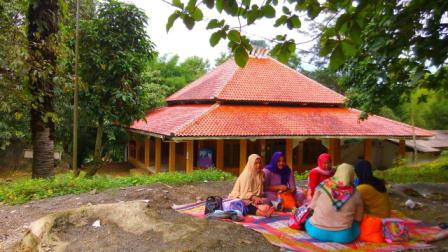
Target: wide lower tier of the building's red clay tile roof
[269, 121]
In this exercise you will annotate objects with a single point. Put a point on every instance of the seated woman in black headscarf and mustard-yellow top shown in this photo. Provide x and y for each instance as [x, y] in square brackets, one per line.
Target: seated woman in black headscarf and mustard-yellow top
[373, 190]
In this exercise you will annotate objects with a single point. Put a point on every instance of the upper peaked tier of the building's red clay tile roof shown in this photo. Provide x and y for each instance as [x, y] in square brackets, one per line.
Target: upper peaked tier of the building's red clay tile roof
[261, 80]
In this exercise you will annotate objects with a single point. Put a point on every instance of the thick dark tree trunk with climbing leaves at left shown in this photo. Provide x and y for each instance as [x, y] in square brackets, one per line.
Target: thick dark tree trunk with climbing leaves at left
[43, 27]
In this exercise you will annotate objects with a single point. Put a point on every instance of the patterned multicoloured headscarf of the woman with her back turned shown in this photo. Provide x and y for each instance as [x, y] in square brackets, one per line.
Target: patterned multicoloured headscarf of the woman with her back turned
[340, 187]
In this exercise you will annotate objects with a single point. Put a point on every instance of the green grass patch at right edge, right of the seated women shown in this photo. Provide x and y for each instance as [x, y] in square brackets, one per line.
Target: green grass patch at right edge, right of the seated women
[435, 171]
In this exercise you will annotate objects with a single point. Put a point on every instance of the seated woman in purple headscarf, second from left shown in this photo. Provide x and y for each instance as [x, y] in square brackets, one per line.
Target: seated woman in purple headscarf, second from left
[279, 178]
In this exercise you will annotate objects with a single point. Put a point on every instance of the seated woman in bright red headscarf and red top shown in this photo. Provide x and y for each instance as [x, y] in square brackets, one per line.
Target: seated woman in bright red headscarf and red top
[322, 172]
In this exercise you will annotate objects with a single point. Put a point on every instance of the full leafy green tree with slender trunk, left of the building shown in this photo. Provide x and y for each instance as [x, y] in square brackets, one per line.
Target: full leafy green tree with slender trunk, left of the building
[114, 51]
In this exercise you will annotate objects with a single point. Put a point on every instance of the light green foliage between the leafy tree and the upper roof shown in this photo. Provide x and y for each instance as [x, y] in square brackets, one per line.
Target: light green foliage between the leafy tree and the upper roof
[172, 75]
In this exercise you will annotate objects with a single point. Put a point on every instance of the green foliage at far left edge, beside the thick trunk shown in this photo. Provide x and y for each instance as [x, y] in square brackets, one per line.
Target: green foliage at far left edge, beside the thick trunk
[14, 96]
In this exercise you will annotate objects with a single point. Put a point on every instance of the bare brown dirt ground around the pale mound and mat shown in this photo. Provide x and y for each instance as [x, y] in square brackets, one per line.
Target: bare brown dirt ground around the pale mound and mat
[207, 235]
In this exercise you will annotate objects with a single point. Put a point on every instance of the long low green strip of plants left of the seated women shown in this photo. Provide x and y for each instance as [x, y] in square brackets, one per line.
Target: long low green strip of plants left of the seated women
[25, 190]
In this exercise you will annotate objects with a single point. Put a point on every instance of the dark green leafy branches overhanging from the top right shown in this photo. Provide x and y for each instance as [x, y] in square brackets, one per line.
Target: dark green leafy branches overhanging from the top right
[384, 48]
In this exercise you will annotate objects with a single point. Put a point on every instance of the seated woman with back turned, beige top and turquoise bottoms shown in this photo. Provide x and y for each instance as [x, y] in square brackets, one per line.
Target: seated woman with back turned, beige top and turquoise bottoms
[337, 208]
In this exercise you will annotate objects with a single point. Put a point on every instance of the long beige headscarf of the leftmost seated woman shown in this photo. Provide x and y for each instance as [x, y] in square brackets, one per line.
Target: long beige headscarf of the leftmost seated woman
[249, 183]
